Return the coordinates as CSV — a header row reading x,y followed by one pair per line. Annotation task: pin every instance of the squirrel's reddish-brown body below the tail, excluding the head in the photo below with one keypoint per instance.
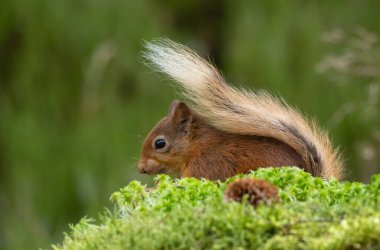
x,y
217,155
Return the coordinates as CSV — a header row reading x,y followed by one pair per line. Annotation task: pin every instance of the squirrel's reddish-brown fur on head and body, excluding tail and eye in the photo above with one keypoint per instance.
x,y
206,152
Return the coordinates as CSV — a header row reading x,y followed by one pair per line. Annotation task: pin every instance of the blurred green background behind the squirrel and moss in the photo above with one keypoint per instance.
x,y
76,101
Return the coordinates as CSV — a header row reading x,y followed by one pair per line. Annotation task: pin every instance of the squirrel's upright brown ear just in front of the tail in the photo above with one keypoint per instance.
x,y
181,115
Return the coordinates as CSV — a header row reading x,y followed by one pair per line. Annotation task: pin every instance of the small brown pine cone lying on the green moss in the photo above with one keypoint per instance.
x,y
258,191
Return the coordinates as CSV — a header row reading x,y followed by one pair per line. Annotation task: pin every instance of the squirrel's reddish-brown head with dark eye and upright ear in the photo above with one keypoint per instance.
x,y
165,147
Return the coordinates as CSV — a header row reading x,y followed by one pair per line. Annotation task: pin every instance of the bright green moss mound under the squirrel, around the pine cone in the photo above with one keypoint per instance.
x,y
190,213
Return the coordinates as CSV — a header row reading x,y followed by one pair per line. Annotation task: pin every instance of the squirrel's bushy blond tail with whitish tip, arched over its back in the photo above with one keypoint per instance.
x,y
241,111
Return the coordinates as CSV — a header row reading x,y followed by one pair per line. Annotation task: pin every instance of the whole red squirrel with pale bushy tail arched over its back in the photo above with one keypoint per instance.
x,y
223,131
